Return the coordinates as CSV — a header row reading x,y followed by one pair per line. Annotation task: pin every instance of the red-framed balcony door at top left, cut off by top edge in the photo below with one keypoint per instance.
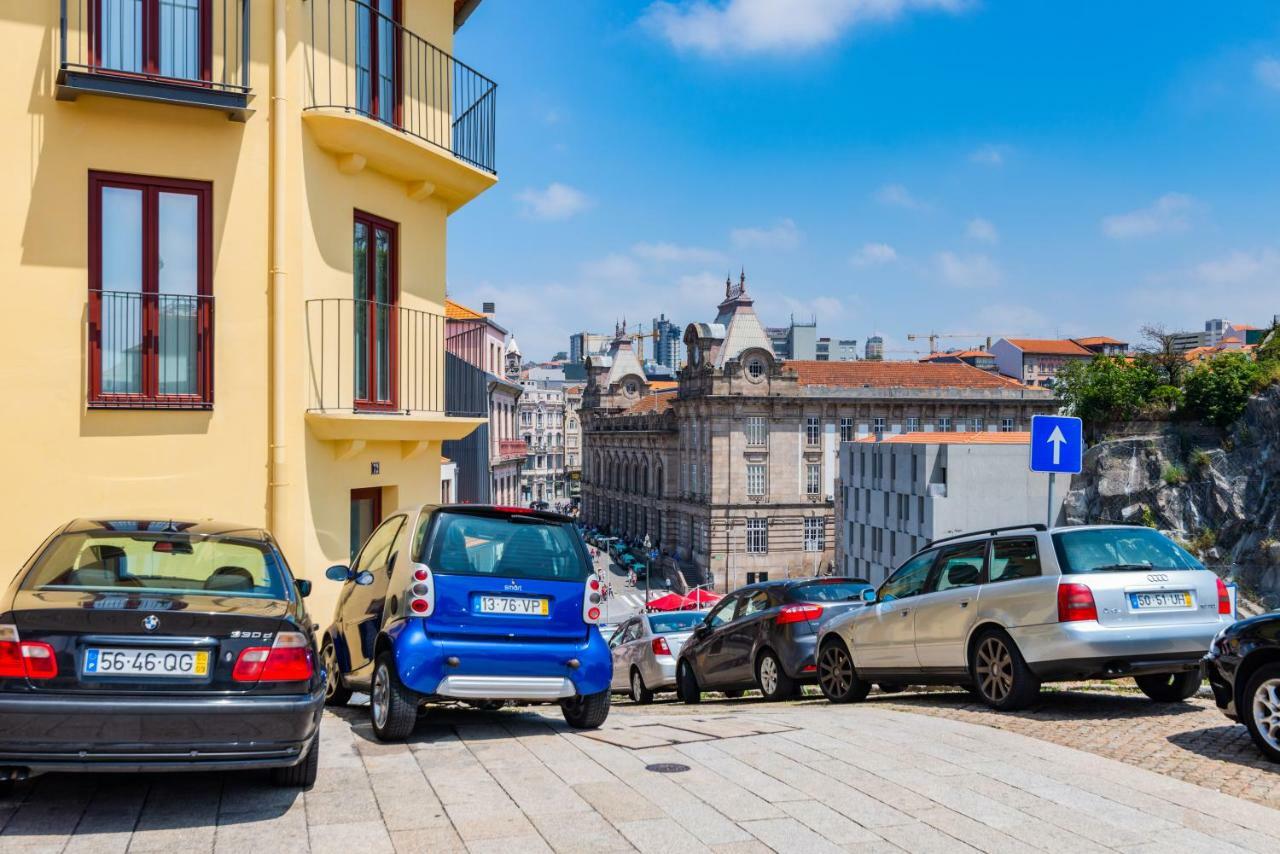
x,y
170,39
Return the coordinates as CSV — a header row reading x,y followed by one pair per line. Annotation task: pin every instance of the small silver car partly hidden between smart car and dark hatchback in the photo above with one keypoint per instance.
x,y
646,651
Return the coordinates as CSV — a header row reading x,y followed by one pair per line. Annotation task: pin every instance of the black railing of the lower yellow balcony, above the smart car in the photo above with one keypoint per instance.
x,y
365,357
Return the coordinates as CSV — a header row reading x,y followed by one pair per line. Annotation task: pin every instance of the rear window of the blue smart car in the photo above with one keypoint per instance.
x,y
504,546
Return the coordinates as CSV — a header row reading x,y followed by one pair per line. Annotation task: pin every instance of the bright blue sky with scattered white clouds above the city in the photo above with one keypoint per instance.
x,y
996,167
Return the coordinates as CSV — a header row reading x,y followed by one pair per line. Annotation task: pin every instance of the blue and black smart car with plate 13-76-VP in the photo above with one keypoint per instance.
x,y
469,604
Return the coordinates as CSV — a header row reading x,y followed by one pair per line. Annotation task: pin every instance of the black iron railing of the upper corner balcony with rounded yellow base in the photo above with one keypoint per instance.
x,y
363,61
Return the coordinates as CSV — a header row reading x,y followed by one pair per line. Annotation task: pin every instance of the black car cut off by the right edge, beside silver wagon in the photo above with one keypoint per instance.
x,y
1244,668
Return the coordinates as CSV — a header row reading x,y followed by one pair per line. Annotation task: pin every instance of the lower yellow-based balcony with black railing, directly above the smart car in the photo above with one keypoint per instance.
x,y
377,375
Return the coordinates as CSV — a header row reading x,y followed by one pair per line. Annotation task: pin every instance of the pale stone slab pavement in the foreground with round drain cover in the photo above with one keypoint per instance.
x,y
806,778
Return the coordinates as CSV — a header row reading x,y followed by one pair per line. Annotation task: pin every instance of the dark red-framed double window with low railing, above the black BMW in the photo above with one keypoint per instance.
x,y
150,299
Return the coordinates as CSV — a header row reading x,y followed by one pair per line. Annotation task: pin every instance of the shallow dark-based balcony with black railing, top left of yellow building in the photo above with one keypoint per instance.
x,y
194,53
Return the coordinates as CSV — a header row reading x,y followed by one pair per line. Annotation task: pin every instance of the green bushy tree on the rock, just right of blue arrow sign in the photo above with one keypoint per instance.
x,y
1108,389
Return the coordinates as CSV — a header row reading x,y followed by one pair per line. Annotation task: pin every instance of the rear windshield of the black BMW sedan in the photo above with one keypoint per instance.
x,y
158,563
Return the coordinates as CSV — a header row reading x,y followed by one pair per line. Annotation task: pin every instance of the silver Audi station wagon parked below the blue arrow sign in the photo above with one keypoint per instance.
x,y
1004,611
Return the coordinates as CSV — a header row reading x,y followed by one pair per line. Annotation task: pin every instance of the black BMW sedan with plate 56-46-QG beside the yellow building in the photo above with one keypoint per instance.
x,y
158,646
